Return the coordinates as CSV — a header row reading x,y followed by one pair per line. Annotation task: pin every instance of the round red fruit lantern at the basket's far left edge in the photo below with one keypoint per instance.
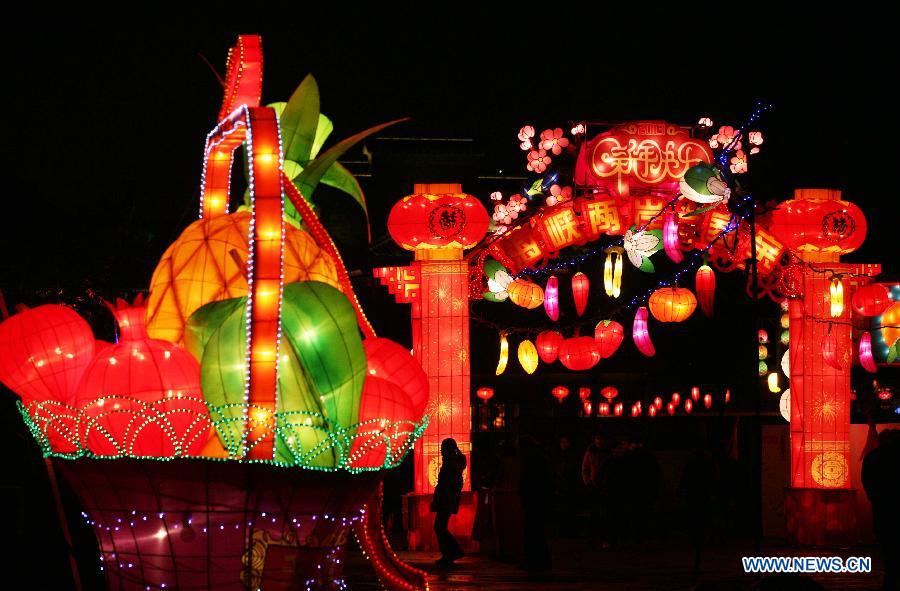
x,y
44,351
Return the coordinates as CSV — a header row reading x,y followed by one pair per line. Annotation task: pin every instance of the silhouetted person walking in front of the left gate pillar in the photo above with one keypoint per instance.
x,y
447,495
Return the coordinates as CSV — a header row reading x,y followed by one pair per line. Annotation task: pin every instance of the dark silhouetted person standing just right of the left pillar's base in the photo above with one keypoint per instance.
x,y
534,492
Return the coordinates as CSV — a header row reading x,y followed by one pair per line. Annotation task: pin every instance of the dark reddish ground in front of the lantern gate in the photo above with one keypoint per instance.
x,y
654,566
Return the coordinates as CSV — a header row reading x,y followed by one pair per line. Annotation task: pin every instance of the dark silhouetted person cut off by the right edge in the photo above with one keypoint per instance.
x,y
881,480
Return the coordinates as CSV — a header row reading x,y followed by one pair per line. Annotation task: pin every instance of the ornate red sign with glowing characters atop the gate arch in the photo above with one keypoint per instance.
x,y
645,154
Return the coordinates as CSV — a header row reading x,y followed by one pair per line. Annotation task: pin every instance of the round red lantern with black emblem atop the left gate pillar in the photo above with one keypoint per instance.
x,y
430,221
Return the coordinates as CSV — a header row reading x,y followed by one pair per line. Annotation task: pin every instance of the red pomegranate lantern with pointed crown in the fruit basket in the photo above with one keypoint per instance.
x,y
142,396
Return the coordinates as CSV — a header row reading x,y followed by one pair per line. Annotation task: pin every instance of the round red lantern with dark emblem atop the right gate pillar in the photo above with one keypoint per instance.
x,y
819,224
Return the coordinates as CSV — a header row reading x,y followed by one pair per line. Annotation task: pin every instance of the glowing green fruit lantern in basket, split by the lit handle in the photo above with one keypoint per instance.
x,y
321,368
